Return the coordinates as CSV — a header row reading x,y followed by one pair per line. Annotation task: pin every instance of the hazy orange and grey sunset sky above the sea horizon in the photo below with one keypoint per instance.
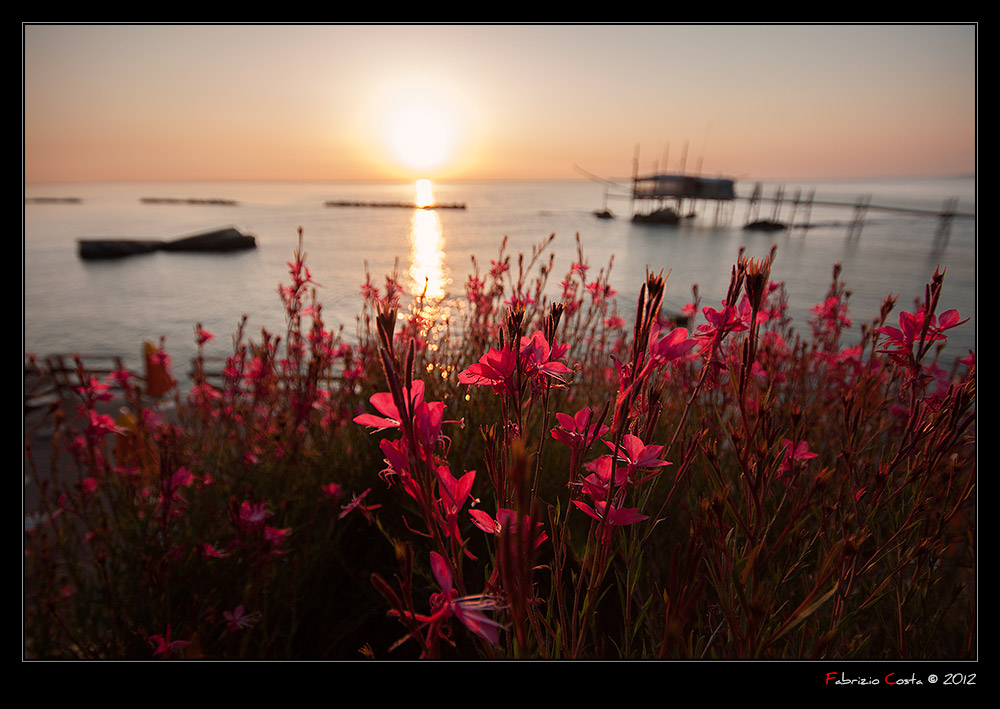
x,y
357,102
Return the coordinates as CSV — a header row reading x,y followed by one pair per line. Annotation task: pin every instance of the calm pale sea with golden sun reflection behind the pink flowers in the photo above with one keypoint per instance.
x,y
112,307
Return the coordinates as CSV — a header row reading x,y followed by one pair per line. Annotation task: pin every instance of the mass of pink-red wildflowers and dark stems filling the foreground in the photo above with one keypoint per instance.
x,y
533,480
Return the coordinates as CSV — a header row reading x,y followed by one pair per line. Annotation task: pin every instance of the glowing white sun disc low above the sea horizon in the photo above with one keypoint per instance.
x,y
421,130
